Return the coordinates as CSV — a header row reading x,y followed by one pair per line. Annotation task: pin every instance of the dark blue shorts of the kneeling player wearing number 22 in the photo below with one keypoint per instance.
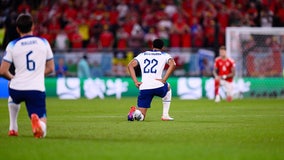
x,y
145,96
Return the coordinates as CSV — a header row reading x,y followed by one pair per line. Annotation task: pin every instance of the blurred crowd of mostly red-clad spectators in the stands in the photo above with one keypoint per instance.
x,y
123,24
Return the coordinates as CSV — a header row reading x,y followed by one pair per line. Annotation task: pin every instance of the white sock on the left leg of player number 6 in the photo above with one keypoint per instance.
x,y
13,114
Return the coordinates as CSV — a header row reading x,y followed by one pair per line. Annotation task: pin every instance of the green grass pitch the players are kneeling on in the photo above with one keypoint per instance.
x,y
98,129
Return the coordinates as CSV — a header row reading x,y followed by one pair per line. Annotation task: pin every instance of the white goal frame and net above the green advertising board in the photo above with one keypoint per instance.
x,y
257,51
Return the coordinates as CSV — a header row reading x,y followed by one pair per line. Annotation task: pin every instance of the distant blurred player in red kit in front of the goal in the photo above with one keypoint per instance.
x,y
224,72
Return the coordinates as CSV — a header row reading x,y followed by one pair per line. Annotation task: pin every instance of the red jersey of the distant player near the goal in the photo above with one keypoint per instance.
x,y
224,67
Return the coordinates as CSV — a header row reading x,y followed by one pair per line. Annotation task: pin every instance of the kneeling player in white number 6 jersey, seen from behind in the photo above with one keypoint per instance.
x,y
33,59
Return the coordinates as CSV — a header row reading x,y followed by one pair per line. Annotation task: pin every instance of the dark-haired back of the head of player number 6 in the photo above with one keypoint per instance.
x,y
24,22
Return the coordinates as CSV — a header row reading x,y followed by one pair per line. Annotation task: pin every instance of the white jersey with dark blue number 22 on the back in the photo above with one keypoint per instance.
x,y
152,64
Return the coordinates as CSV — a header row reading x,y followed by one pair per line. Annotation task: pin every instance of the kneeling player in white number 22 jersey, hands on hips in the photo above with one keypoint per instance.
x,y
152,64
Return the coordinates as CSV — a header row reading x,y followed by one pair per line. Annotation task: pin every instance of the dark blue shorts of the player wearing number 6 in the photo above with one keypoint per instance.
x,y
34,100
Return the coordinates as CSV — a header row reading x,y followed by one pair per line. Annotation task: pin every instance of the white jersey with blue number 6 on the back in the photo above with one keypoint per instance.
x,y
29,55
